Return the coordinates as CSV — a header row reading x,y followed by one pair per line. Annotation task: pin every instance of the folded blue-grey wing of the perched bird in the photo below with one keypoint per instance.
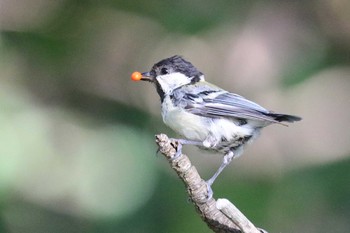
x,y
219,103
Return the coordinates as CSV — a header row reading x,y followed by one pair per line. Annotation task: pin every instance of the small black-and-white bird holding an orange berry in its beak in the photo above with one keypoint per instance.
x,y
204,114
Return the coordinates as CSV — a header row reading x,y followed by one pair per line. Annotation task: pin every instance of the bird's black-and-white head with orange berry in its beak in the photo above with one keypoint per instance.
x,y
170,74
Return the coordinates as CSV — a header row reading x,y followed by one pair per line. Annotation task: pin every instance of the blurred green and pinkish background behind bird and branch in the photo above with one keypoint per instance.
x,y
77,151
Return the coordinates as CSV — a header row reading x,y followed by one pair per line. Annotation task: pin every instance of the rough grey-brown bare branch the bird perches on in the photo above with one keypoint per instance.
x,y
221,216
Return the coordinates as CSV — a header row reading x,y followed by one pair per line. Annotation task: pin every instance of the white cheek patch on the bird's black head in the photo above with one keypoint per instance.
x,y
169,82
